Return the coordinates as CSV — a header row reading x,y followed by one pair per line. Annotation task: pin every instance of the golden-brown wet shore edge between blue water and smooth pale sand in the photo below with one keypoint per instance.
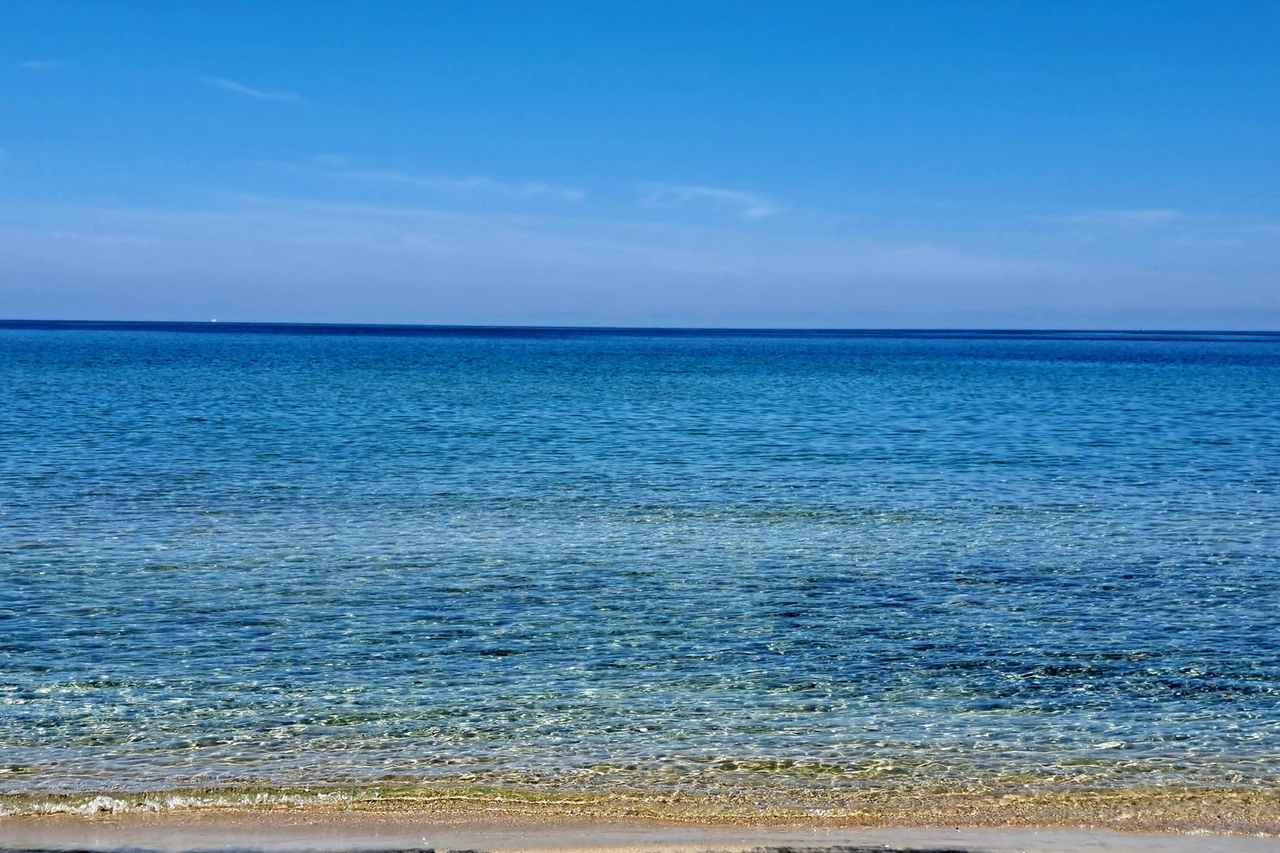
x,y
1205,811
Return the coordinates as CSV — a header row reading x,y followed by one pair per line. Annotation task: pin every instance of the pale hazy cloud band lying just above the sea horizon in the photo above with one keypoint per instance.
x,y
281,258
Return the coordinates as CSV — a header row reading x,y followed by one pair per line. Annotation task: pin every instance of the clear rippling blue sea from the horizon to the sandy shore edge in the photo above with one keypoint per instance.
x,y
309,556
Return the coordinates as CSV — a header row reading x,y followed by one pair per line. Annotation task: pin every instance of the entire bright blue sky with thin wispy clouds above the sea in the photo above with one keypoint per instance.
x,y
835,165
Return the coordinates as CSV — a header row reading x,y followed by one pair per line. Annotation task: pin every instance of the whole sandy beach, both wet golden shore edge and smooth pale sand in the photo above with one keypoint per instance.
x,y
523,822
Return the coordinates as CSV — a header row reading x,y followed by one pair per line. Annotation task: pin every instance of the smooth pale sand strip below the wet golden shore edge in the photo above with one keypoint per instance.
x,y
377,833
